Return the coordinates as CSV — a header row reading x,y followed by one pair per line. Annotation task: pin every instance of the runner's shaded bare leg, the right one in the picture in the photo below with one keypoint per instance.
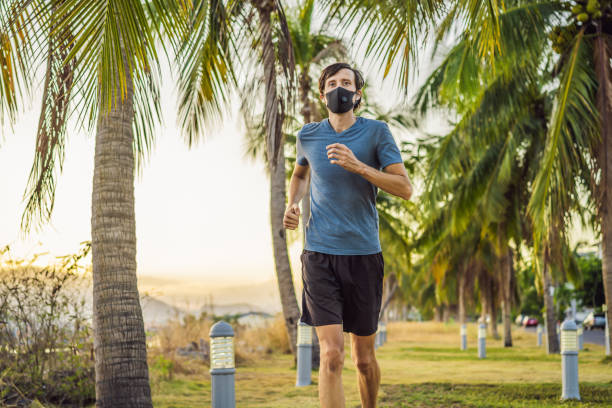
x,y
368,371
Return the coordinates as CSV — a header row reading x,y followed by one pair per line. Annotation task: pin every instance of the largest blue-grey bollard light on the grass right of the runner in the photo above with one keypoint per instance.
x,y
569,360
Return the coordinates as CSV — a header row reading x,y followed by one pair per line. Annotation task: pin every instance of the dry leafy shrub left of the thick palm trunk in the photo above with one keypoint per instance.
x,y
46,347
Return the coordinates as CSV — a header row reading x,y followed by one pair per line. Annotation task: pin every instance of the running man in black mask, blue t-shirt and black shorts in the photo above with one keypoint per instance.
x,y
342,263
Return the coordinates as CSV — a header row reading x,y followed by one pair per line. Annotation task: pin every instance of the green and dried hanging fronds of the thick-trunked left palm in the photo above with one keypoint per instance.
x,y
91,48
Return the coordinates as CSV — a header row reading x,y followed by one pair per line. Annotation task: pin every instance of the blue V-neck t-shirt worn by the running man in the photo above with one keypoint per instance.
x,y
343,217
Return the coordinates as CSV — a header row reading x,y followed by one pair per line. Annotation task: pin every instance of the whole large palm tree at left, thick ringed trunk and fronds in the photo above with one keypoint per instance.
x,y
106,52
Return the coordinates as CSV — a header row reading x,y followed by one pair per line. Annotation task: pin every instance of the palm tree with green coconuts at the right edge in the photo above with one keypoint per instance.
x,y
579,139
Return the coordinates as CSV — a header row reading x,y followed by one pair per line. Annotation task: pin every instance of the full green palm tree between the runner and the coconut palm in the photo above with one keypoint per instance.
x,y
480,170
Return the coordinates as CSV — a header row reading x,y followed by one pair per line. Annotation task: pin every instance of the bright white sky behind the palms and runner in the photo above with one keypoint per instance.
x,y
201,213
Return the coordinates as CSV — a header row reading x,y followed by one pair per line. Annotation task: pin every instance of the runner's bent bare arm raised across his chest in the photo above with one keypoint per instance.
x,y
393,179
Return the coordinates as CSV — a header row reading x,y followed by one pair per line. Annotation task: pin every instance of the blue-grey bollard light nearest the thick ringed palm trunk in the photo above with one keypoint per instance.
x,y
222,365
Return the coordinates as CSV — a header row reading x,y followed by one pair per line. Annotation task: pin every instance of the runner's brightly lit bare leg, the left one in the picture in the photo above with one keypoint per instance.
x,y
331,341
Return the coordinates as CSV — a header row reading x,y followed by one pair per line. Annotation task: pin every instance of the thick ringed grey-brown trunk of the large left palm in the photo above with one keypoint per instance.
x,y
122,377
